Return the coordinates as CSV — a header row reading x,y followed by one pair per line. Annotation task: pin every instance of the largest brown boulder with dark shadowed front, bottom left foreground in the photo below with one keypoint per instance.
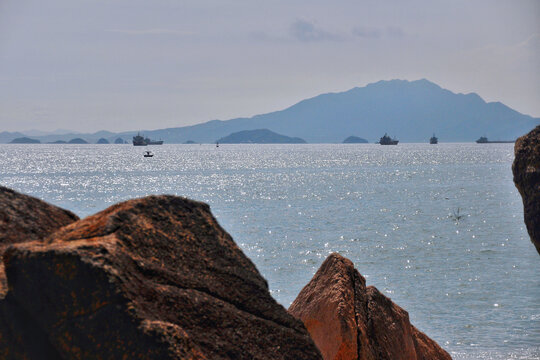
x,y
152,278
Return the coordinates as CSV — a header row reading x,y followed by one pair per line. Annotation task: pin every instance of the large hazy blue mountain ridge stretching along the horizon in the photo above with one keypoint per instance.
x,y
411,111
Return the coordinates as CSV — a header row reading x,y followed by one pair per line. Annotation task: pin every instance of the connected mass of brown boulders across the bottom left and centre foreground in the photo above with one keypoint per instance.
x,y
158,278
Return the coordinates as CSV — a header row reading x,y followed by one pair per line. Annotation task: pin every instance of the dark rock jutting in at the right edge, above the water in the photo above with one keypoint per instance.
x,y
526,169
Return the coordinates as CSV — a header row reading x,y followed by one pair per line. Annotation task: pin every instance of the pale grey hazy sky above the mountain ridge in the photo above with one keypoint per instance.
x,y
88,65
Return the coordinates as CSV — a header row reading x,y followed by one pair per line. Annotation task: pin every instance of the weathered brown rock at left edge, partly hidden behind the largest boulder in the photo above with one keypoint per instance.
x,y
24,218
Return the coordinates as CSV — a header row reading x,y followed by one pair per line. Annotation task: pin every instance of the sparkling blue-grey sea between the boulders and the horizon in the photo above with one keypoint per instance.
x,y
437,228
